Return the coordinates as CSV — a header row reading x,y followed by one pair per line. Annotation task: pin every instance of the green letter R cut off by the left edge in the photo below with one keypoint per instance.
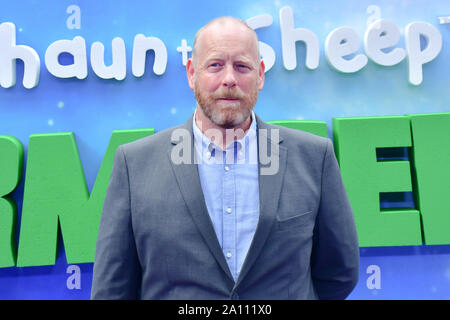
x,y
11,161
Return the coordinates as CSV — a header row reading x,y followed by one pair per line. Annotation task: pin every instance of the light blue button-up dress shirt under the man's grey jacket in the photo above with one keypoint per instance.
x,y
229,180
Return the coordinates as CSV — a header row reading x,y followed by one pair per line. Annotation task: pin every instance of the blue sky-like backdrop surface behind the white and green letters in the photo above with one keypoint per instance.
x,y
93,107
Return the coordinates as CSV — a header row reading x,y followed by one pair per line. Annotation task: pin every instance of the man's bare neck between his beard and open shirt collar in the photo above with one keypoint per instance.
x,y
212,130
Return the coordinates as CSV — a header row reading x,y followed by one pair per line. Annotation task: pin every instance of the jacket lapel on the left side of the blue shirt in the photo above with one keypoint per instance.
x,y
189,183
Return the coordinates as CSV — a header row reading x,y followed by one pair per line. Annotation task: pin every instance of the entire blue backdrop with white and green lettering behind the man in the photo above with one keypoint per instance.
x,y
79,78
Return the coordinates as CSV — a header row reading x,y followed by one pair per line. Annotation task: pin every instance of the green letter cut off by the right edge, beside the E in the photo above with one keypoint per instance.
x,y
431,152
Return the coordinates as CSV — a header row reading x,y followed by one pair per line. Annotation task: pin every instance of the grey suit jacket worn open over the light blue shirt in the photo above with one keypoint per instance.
x,y
156,239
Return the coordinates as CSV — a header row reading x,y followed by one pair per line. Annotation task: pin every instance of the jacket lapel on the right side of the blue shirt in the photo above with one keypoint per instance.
x,y
269,194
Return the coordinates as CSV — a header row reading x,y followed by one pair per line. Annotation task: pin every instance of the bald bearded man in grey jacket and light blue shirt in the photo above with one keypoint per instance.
x,y
226,206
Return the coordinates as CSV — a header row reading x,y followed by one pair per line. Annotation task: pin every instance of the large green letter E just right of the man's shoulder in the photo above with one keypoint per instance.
x,y
356,141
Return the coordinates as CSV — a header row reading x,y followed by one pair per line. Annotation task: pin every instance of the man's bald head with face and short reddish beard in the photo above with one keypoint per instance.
x,y
226,73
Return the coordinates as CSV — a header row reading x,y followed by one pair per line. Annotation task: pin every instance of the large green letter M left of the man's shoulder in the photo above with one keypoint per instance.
x,y
55,189
